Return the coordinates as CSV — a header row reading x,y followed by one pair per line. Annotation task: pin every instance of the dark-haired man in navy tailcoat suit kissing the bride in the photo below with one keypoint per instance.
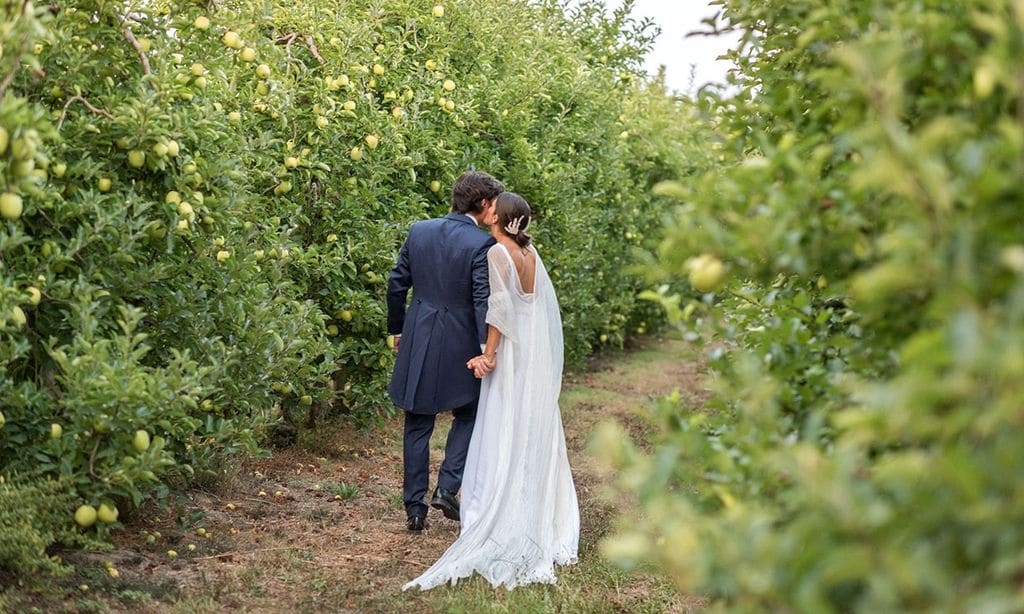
x,y
445,261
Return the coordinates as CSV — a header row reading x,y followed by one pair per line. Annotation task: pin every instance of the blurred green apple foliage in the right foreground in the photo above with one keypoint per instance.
x,y
863,450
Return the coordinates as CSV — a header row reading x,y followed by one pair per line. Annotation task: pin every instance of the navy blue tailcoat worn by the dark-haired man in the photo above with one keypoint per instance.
x,y
445,261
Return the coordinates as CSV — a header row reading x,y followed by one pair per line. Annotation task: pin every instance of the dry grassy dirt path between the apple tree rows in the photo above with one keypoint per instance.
x,y
306,532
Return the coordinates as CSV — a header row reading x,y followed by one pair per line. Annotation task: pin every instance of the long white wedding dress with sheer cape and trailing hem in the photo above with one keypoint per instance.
x,y
520,514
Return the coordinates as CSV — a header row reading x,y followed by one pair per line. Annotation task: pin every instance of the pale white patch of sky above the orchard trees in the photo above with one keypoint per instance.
x,y
675,51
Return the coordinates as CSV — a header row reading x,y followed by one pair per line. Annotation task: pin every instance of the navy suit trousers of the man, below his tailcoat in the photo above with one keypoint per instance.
x,y
419,427
